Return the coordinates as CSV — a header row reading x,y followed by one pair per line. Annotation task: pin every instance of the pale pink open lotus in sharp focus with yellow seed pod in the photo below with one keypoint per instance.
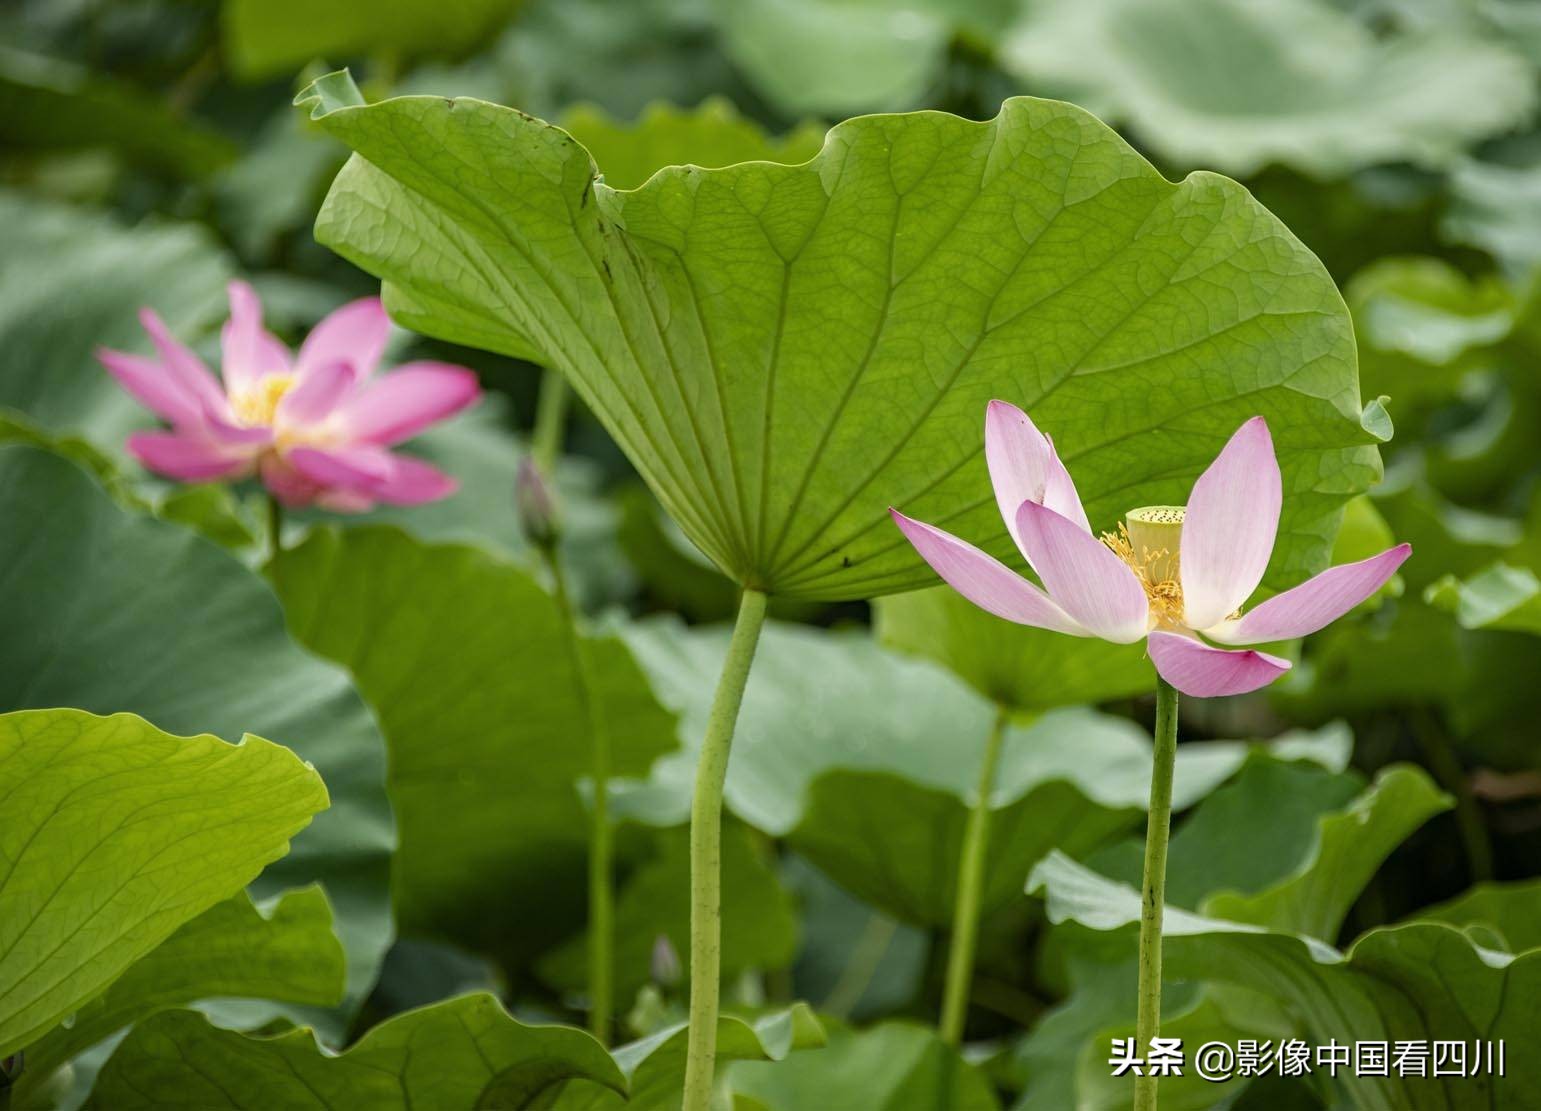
x,y
1177,576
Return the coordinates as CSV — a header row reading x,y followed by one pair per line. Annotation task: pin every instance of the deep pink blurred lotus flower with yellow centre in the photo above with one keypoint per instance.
x,y
317,426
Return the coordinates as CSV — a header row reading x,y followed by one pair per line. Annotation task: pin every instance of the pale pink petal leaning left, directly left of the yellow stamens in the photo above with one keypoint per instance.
x,y
1084,577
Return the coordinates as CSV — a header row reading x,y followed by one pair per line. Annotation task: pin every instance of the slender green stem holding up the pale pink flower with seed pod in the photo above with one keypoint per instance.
x,y
1153,891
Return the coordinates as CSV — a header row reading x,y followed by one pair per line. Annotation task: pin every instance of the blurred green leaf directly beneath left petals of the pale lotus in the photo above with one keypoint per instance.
x,y
1018,666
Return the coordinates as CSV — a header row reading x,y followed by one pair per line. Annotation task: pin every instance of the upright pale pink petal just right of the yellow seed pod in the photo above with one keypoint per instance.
x,y
1229,528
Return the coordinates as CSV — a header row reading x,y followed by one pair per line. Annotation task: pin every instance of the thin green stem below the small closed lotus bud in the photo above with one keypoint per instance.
x,y
602,890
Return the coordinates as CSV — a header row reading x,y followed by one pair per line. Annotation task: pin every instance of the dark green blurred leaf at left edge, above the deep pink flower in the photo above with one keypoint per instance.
x,y
50,104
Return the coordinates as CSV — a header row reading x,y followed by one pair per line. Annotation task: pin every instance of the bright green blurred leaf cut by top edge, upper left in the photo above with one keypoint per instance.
x,y
267,38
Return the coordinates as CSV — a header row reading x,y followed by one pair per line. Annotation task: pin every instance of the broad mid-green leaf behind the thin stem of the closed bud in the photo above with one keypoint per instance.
x,y
463,656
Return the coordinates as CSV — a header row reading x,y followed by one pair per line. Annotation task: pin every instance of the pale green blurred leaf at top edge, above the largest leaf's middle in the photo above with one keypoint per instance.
x,y
839,58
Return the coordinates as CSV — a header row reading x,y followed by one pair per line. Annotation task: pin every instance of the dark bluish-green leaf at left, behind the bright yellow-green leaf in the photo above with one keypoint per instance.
x,y
113,611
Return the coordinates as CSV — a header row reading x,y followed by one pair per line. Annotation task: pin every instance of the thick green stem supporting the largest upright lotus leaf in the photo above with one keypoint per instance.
x,y
707,853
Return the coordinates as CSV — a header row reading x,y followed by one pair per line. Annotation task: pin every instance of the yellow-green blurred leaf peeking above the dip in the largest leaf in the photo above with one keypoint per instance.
x,y
713,135
